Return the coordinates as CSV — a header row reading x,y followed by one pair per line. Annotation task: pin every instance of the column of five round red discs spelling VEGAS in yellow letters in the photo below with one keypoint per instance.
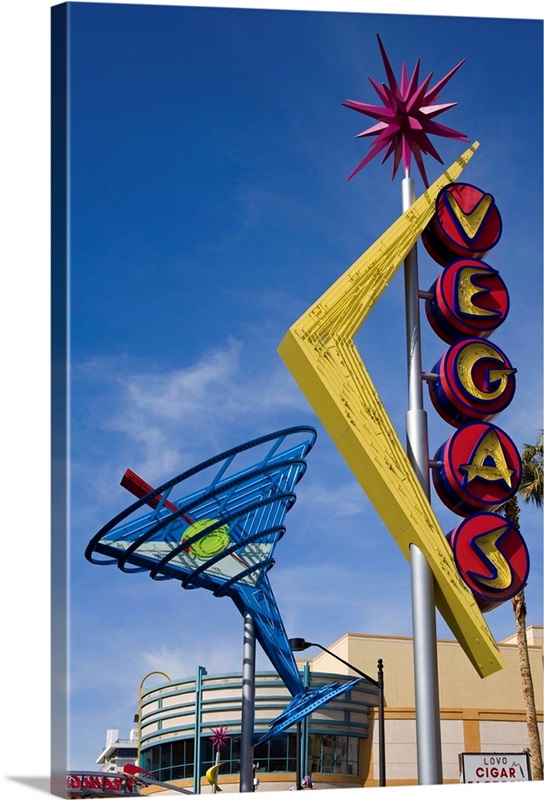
x,y
478,468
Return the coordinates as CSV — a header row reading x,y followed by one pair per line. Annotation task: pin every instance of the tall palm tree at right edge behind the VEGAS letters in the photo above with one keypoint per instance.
x,y
530,491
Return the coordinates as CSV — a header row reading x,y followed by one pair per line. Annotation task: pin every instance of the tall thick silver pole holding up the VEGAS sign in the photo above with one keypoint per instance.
x,y
429,755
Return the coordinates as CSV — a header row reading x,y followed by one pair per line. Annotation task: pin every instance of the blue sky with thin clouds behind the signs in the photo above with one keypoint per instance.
x,y
209,209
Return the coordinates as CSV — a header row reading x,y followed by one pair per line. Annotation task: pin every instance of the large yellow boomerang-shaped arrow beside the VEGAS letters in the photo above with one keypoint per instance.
x,y
320,353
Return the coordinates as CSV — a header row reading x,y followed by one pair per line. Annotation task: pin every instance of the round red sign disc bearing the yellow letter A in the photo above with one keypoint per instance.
x,y
479,469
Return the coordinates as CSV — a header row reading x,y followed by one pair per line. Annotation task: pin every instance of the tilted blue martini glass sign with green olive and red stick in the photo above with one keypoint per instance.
x,y
221,536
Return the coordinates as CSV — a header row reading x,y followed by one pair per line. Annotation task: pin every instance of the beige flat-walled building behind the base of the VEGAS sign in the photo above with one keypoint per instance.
x,y
477,715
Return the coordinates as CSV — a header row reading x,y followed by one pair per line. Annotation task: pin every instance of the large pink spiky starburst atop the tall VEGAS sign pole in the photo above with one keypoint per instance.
x,y
407,118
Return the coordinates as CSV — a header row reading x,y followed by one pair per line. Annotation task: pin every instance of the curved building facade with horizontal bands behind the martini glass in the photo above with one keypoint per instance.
x,y
178,718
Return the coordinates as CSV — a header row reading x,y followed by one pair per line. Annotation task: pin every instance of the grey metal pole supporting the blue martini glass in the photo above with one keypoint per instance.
x,y
248,706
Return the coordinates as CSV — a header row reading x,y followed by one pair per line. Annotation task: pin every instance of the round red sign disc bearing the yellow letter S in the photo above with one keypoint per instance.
x,y
491,556
